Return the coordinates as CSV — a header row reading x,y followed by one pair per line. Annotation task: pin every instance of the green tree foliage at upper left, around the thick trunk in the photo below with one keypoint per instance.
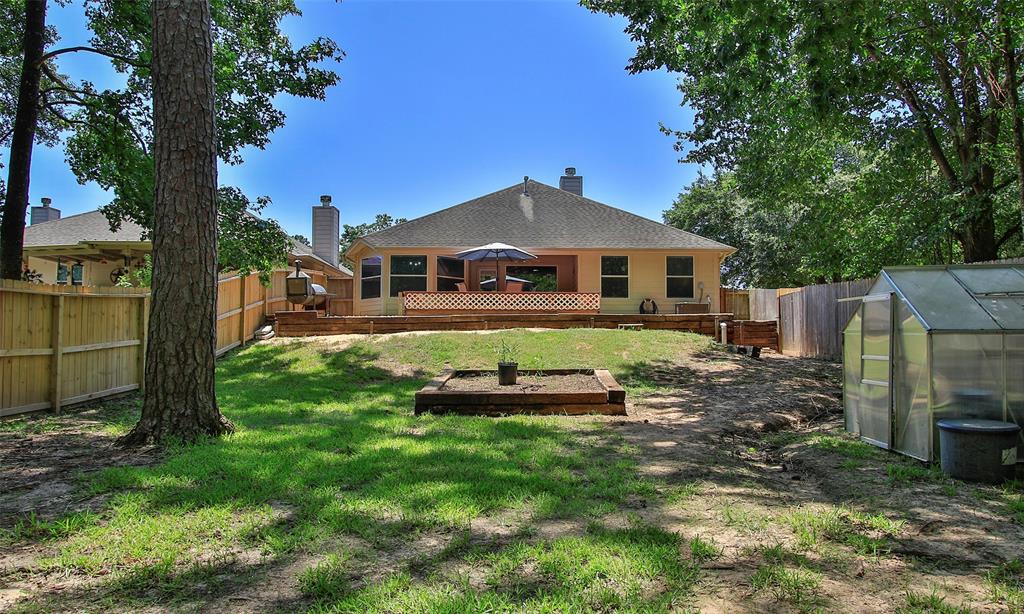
x,y
108,133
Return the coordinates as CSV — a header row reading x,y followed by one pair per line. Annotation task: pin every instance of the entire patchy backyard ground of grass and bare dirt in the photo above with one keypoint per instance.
x,y
729,488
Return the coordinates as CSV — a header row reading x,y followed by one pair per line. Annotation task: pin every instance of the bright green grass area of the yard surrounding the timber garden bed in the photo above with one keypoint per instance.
x,y
329,464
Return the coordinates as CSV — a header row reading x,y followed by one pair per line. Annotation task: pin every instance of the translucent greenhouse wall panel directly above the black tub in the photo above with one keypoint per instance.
x,y
967,376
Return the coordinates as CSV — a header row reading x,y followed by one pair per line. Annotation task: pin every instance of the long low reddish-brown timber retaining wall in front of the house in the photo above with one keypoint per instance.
x,y
305,324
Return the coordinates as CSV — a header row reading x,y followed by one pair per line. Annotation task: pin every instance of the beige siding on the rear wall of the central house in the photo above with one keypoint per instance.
x,y
648,277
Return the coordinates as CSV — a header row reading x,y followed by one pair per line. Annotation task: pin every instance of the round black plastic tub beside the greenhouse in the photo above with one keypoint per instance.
x,y
978,451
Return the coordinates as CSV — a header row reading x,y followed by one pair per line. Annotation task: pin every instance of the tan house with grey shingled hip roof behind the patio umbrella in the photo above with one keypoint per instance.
x,y
582,246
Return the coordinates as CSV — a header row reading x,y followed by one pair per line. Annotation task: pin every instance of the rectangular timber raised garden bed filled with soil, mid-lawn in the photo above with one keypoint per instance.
x,y
552,391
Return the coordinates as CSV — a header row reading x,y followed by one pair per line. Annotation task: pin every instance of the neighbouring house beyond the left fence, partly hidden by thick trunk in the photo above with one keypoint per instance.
x,y
82,250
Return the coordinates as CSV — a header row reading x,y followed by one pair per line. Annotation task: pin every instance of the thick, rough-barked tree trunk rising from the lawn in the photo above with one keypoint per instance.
x,y
180,402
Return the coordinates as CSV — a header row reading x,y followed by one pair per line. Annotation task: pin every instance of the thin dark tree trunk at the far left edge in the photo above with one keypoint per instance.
x,y
13,227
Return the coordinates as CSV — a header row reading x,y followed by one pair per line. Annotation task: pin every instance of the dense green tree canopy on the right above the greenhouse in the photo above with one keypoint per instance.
x,y
923,96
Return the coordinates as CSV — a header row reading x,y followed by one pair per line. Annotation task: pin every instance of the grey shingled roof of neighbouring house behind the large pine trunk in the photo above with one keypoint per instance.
x,y
93,227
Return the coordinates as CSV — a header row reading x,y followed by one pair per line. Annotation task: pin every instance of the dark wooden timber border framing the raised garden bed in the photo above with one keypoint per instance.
x,y
435,399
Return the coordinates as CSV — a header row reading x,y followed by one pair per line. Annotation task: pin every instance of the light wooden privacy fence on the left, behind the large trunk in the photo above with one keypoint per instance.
x,y
62,345
